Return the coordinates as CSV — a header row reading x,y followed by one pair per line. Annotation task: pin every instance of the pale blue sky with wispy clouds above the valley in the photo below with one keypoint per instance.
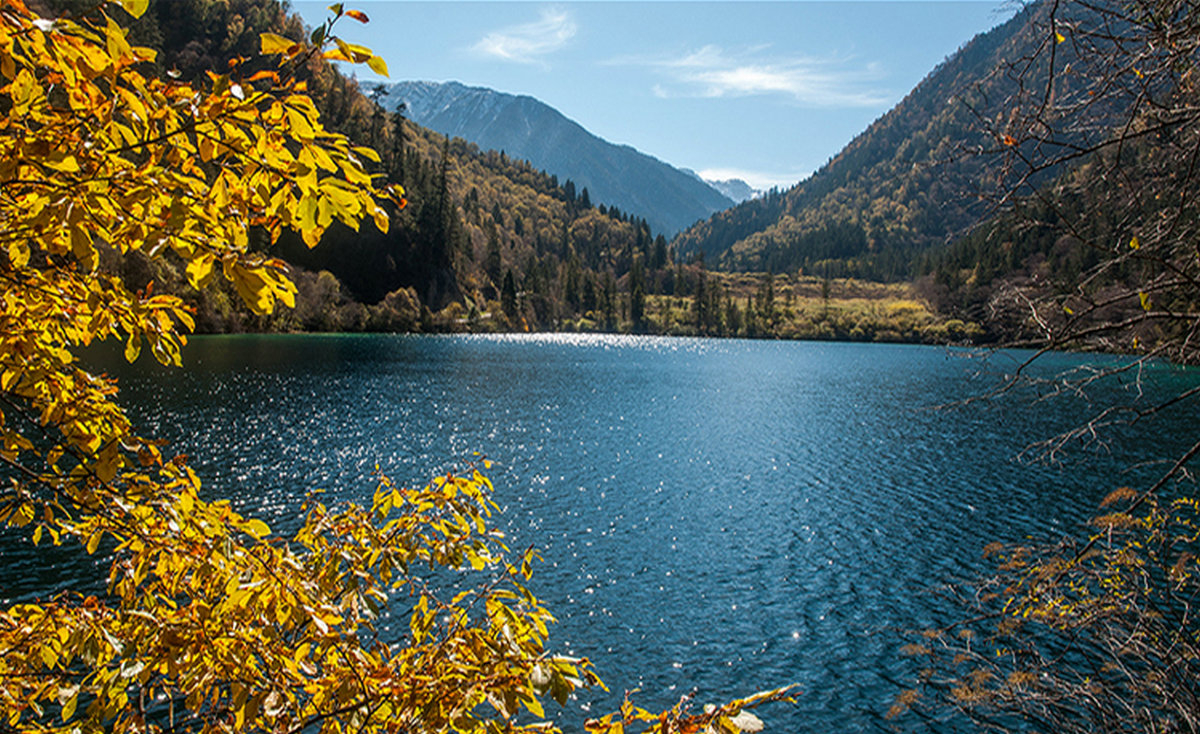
x,y
765,92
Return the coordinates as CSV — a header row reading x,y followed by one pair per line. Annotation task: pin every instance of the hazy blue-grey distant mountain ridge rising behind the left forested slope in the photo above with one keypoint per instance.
x,y
526,129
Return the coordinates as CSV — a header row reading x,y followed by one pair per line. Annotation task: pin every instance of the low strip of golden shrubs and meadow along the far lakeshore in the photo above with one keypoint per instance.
x,y
699,303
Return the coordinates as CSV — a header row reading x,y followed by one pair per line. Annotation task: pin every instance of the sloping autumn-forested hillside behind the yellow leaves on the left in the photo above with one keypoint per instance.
x,y
485,243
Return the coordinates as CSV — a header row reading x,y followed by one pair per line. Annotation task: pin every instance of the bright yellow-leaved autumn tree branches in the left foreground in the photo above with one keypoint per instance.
x,y
212,621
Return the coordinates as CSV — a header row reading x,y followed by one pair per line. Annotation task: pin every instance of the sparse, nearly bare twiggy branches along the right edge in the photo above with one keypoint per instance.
x,y
1095,631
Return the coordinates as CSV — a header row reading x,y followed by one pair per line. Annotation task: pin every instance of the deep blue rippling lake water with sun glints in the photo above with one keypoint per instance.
x,y
716,515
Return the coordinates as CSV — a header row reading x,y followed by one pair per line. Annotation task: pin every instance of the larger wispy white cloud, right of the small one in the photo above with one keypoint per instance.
x,y
715,73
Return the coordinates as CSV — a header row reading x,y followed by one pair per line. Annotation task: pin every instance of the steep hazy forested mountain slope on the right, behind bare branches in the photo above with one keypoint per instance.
x,y
911,183
